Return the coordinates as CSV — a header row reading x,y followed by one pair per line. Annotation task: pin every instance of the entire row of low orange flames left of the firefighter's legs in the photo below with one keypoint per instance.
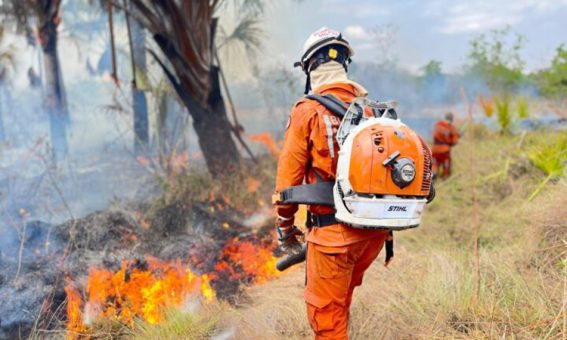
x,y
146,289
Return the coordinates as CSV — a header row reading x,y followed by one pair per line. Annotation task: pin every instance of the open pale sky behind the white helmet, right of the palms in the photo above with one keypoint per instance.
x,y
422,30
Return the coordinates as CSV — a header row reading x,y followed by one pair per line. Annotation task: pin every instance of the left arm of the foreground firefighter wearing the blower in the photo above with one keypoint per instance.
x,y
293,160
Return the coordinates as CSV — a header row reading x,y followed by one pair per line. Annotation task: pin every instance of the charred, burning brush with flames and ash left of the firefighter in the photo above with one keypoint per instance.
x,y
133,268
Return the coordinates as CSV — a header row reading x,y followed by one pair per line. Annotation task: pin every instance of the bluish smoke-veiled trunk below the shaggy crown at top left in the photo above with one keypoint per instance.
x,y
55,104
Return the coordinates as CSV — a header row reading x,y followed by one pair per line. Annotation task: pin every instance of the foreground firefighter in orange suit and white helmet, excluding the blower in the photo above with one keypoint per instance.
x,y
337,255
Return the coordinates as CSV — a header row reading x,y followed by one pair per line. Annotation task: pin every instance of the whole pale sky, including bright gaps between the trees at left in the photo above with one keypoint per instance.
x,y
418,31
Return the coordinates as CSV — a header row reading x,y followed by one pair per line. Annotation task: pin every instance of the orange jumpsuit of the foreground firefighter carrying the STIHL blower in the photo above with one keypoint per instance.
x,y
337,255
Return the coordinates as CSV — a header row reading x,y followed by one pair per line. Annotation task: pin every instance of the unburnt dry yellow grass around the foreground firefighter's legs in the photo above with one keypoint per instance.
x,y
427,292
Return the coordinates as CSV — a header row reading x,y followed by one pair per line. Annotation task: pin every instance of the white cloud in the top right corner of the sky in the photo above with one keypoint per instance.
x,y
480,15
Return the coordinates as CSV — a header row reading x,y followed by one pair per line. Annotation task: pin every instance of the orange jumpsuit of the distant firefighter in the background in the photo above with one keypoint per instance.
x,y
445,136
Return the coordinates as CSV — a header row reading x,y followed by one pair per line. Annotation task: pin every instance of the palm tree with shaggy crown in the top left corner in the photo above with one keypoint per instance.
x,y
46,15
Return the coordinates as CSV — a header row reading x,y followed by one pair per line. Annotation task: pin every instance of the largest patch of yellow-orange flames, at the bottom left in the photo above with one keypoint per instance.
x,y
139,289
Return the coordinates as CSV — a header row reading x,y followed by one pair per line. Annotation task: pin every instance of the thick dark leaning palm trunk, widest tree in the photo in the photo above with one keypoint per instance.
x,y
185,33
